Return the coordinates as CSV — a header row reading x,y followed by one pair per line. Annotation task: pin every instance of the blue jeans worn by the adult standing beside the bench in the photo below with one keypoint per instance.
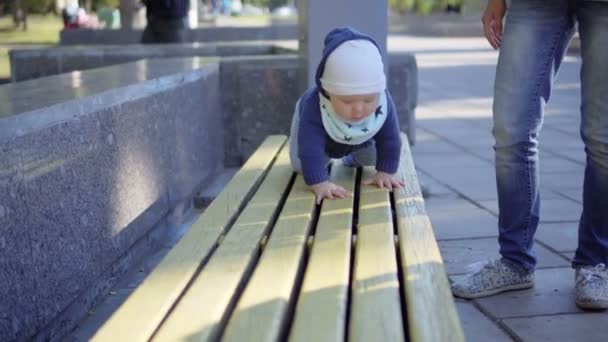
x,y
536,35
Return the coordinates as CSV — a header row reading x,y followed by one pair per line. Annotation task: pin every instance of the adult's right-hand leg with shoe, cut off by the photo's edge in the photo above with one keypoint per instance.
x,y
591,290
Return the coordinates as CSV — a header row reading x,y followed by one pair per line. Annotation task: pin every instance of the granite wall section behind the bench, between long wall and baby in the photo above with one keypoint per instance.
x,y
259,94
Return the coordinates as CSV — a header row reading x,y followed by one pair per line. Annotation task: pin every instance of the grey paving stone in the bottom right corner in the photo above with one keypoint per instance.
x,y
589,327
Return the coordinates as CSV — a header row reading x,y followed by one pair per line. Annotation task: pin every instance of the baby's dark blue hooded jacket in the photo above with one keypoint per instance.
x,y
314,144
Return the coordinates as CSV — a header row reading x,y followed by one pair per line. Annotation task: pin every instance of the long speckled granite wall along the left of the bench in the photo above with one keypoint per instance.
x,y
90,163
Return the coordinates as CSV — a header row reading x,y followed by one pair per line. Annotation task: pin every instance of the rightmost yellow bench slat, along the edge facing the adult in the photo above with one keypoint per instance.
x,y
431,311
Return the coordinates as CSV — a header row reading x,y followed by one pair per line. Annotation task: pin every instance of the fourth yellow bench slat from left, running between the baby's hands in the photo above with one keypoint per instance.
x,y
320,313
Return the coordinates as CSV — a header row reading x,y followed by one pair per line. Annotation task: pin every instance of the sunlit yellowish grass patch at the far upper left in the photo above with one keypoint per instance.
x,y
41,30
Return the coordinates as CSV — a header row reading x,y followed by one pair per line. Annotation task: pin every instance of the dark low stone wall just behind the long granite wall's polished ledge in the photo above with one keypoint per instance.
x,y
33,63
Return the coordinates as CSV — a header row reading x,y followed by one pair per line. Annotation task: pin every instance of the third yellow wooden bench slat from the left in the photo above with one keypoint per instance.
x,y
260,313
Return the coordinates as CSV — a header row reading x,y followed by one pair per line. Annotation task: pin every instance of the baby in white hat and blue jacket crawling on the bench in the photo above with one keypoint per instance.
x,y
349,114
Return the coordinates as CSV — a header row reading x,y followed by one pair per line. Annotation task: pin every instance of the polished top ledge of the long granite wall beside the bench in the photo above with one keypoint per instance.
x,y
32,105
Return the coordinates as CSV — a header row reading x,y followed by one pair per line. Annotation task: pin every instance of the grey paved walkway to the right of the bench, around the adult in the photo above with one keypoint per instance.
x,y
454,158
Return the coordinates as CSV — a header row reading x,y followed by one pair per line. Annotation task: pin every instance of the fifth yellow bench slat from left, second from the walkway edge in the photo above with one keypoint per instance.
x,y
375,302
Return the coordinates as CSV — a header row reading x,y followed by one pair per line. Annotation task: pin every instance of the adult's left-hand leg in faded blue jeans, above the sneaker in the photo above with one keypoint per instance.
x,y
536,36
